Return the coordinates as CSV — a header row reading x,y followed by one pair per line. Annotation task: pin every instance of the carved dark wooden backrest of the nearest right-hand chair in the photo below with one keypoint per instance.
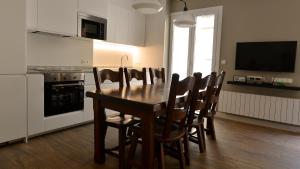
x,y
173,112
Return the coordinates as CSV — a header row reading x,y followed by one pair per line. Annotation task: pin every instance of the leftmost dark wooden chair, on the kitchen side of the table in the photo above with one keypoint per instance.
x,y
121,122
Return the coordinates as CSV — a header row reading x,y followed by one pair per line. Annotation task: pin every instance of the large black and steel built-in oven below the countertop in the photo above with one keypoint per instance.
x,y
64,93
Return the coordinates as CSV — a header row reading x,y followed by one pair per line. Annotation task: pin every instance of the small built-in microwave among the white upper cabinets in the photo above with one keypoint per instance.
x,y
91,27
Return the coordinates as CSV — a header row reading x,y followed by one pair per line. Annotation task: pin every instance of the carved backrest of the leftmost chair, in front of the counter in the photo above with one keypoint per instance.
x,y
107,74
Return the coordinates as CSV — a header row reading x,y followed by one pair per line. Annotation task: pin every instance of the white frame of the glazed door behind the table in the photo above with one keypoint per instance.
x,y
218,12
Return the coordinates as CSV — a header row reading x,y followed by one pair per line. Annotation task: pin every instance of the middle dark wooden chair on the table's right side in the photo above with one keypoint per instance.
x,y
201,103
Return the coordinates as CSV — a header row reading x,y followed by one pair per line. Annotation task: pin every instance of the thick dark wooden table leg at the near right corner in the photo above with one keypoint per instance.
x,y
148,140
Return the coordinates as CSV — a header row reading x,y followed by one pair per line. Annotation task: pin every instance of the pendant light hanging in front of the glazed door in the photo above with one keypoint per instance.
x,y
185,20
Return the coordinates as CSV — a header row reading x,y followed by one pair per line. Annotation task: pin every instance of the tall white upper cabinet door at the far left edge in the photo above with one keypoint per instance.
x,y
13,40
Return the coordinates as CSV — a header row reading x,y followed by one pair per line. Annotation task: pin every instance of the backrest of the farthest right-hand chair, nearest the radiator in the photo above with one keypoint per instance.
x,y
217,89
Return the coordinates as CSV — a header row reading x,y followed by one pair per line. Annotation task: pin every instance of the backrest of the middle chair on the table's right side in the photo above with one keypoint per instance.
x,y
202,96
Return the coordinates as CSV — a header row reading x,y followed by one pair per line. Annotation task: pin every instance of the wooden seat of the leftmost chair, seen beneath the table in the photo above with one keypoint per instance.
x,y
119,121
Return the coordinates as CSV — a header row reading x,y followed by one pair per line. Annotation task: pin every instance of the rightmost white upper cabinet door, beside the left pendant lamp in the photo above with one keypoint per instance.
x,y
136,28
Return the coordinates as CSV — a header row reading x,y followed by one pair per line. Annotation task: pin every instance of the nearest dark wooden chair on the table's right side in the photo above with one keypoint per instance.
x,y
173,130
